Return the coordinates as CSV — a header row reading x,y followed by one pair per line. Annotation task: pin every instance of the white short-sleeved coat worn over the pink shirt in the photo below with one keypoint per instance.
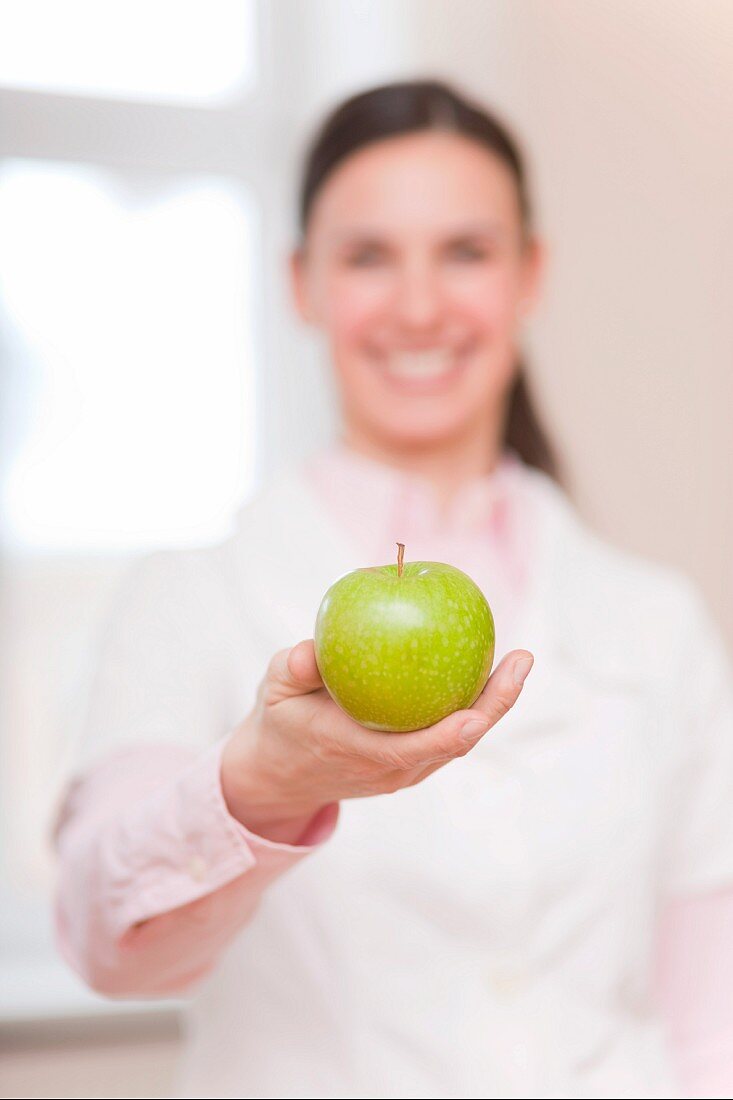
x,y
489,932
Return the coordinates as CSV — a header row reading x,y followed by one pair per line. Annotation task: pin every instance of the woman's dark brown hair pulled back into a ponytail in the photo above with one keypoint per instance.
x,y
408,107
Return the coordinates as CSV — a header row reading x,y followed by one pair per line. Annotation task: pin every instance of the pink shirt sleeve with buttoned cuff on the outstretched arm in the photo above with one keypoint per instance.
x,y
156,875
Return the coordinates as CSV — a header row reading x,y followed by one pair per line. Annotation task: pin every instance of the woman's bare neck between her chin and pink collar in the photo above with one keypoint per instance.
x,y
446,465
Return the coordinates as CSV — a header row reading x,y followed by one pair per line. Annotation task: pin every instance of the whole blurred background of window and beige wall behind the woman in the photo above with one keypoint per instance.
x,y
154,373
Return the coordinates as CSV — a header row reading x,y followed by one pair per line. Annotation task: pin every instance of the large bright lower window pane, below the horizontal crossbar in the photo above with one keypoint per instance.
x,y
130,391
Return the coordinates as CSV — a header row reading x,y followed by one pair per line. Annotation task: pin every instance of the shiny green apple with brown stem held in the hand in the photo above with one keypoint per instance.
x,y
400,647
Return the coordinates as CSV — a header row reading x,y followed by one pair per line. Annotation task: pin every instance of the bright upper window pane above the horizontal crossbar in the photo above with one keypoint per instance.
x,y
183,51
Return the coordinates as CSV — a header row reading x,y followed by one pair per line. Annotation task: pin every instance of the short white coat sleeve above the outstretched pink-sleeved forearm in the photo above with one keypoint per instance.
x,y
160,668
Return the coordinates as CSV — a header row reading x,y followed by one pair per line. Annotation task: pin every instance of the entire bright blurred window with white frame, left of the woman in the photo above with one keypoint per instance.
x,y
137,191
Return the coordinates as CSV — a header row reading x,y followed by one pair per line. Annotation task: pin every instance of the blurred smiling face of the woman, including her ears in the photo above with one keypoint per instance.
x,y
417,271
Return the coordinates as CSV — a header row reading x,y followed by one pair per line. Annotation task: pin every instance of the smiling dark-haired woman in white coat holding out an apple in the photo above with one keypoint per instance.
x,y
349,917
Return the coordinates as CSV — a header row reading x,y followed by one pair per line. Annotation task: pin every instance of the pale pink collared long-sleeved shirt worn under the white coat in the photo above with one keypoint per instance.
x,y
135,919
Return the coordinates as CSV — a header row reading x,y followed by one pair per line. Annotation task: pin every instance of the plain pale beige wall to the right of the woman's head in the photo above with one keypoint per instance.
x,y
627,112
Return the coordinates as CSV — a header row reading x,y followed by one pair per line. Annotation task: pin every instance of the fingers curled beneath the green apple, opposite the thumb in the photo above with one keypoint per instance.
x,y
457,734
